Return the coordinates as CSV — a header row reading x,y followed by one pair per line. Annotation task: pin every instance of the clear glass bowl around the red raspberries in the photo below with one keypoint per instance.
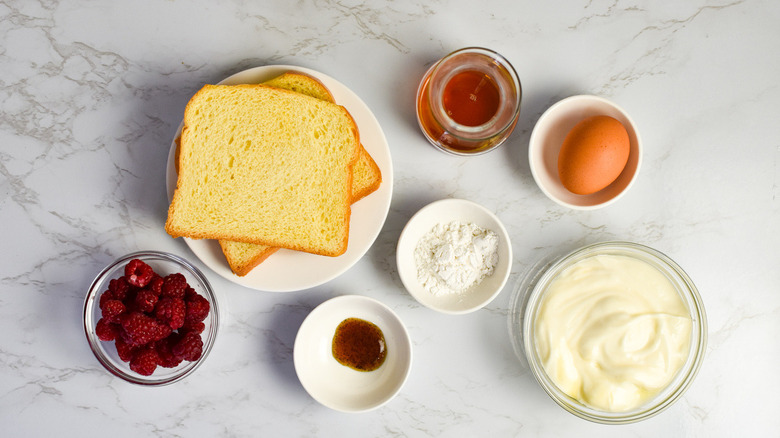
x,y
163,264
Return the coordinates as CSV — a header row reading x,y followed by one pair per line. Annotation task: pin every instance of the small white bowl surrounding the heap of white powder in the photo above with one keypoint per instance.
x,y
443,212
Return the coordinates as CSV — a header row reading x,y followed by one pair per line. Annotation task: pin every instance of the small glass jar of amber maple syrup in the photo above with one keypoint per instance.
x,y
469,101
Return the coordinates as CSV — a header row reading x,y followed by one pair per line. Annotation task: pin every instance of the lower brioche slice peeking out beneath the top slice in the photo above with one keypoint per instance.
x,y
243,257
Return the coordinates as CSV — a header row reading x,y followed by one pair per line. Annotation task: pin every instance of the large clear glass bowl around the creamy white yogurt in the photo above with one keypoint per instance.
x,y
529,295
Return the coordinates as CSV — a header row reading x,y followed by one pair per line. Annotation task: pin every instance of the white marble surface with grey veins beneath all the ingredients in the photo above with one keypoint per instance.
x,y
92,92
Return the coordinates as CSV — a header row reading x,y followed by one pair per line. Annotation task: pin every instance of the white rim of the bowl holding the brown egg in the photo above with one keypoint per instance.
x,y
534,148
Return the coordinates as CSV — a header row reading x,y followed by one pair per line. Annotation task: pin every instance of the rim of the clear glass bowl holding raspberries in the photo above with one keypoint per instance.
x,y
95,344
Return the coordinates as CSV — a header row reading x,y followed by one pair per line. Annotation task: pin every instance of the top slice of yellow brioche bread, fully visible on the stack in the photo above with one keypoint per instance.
x,y
259,164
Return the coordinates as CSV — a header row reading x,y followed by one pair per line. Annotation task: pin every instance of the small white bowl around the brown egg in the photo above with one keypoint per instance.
x,y
546,140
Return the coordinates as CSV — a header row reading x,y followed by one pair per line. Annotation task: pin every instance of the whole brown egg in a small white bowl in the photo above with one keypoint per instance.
x,y
593,155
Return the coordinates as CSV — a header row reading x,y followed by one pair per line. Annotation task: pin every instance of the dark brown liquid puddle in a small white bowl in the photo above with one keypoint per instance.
x,y
359,344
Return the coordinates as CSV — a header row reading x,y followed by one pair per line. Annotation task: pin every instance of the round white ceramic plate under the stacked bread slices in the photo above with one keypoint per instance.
x,y
286,270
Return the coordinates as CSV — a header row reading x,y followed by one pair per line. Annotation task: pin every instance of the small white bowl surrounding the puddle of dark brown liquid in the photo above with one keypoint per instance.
x,y
335,385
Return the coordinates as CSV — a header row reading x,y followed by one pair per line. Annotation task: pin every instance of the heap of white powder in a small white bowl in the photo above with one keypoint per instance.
x,y
453,257
